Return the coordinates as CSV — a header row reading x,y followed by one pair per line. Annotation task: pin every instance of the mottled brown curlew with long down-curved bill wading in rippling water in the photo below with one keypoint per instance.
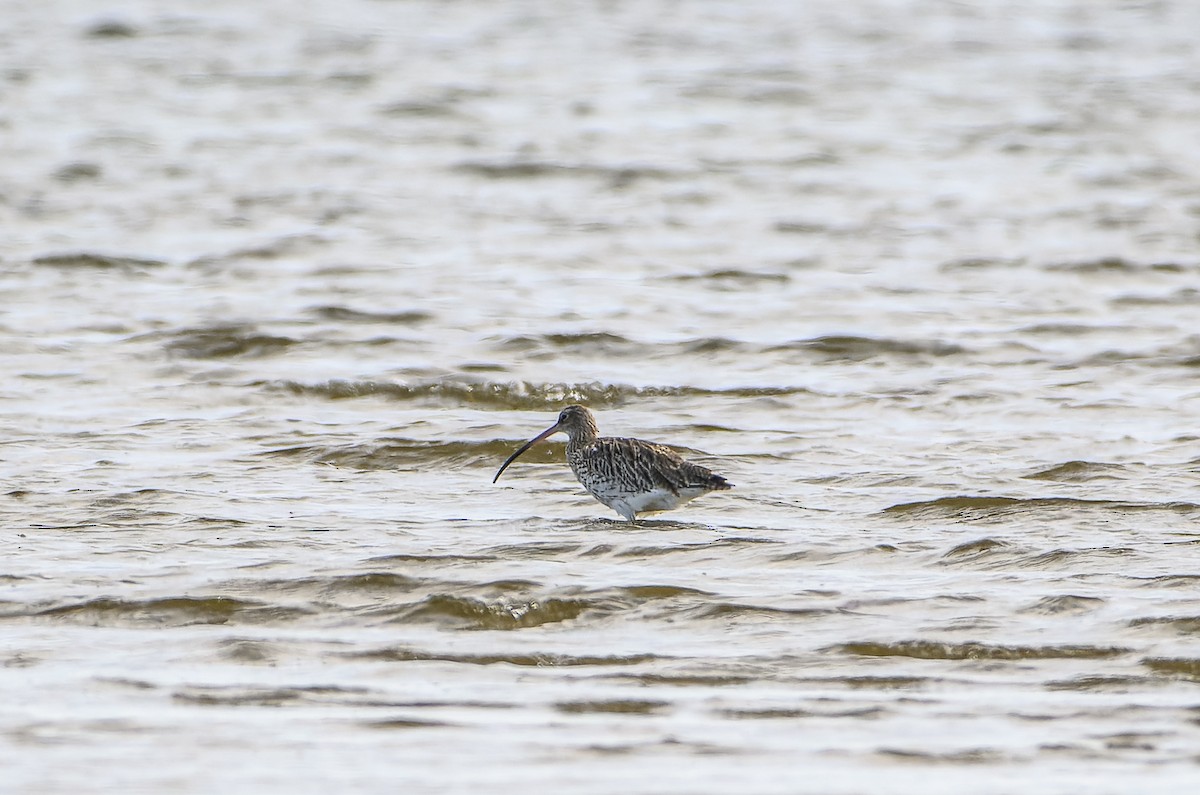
x,y
628,475
